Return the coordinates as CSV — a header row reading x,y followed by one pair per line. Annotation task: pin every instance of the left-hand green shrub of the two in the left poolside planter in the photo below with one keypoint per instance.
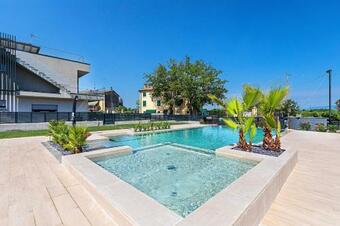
x,y
59,132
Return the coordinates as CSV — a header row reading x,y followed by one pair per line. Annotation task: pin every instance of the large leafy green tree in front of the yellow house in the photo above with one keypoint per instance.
x,y
186,82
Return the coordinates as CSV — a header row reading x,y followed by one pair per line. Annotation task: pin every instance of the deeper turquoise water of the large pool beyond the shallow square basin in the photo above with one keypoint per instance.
x,y
211,137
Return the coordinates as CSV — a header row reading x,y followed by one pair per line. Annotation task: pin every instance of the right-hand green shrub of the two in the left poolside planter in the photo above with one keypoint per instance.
x,y
77,139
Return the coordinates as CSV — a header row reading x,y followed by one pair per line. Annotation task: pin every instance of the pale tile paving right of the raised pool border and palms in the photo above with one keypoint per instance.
x,y
311,195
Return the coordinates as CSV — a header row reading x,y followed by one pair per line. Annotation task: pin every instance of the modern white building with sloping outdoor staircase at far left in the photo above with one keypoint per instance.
x,y
31,81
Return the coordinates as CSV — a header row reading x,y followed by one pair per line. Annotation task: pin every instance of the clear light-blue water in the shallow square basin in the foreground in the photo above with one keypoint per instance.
x,y
180,178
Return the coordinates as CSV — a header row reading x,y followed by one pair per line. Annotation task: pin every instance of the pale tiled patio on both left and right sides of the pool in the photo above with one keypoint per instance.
x,y
37,190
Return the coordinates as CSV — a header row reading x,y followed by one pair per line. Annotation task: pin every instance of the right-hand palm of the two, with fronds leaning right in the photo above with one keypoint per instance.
x,y
272,101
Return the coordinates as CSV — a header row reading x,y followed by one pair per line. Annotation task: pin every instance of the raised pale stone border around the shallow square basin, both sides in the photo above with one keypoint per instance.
x,y
243,202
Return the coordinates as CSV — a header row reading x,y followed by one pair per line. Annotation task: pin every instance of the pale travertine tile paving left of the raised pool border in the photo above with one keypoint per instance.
x,y
36,190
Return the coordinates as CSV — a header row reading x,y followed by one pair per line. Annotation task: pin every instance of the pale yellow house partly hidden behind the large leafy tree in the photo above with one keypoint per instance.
x,y
150,104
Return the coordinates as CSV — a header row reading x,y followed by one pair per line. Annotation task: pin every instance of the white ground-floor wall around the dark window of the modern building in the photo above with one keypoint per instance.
x,y
64,105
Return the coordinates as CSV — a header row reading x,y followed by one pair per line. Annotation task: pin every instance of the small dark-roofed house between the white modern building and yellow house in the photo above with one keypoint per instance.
x,y
110,99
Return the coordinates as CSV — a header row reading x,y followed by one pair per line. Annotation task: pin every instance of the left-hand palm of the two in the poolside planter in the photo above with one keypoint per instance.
x,y
237,109
